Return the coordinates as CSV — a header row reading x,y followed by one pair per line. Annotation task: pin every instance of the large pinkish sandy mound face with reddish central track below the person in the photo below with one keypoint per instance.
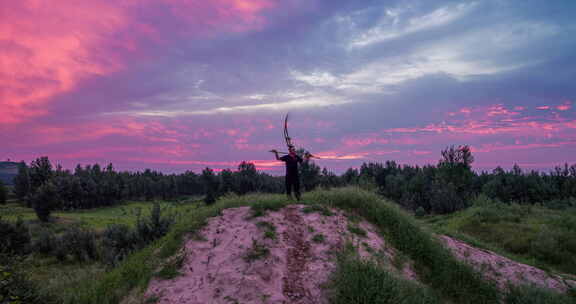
x,y
282,257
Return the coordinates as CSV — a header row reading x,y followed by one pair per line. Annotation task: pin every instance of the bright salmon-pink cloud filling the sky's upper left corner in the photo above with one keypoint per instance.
x,y
49,49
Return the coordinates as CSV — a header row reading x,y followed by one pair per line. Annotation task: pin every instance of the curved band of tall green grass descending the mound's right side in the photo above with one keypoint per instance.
x,y
435,265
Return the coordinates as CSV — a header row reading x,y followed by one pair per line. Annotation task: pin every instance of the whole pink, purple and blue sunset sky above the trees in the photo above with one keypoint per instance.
x,y
177,85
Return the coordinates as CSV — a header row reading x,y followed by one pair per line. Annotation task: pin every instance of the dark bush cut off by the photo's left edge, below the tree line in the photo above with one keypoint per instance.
x,y
14,237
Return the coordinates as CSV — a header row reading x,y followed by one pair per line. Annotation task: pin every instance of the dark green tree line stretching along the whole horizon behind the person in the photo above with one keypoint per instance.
x,y
445,187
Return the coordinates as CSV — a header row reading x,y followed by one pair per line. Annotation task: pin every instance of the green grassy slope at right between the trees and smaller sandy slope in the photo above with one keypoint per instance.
x,y
530,234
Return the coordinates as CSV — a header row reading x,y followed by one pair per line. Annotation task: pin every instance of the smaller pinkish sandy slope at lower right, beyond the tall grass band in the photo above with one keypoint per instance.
x,y
503,270
